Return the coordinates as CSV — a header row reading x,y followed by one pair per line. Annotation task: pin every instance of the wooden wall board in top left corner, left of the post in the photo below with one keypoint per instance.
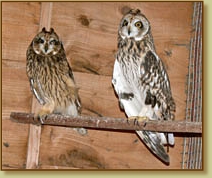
x,y
20,22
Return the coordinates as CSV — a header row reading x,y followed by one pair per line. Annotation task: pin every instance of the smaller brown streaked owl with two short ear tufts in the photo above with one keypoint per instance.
x,y
50,76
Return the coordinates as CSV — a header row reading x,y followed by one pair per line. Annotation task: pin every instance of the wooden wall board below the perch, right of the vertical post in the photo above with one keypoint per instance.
x,y
61,146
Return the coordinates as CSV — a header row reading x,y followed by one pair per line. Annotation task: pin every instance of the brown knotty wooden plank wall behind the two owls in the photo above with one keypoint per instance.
x,y
89,33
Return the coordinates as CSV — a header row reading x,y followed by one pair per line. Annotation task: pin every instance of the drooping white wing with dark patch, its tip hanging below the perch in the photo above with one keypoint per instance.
x,y
131,103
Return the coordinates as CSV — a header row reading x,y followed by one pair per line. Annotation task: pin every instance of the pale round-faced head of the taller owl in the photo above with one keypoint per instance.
x,y
134,25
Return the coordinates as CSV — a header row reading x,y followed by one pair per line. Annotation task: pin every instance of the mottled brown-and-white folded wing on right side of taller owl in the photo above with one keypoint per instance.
x,y
158,90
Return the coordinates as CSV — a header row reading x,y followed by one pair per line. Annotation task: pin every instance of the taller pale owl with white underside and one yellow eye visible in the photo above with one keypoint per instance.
x,y
141,82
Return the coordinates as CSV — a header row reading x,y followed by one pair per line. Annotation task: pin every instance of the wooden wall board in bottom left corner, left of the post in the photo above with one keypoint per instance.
x,y
14,141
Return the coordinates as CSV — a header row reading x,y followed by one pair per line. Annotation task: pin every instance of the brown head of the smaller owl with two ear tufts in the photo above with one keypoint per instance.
x,y
46,43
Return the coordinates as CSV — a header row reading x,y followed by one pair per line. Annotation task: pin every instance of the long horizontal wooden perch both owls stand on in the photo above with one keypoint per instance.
x,y
109,123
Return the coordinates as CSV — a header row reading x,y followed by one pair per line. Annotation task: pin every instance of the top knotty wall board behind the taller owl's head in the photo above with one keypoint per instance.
x,y
90,40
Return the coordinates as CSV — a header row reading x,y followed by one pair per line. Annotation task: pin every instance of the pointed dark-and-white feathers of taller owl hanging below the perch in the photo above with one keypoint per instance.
x,y
154,144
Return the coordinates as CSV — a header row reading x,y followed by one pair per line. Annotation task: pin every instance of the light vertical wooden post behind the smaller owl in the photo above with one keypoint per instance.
x,y
33,149
